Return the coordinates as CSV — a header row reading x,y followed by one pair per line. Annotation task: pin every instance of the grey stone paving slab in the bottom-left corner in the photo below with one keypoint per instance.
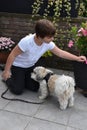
x,y
13,121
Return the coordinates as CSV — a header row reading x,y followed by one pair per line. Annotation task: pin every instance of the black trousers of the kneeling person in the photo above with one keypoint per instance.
x,y
21,79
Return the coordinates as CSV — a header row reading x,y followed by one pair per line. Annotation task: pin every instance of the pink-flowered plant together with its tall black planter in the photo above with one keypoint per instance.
x,y
79,41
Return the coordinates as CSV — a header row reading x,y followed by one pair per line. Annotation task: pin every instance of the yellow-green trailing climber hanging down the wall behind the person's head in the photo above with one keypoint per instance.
x,y
58,10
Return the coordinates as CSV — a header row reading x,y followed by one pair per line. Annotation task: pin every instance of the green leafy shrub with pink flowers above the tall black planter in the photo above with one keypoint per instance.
x,y
79,38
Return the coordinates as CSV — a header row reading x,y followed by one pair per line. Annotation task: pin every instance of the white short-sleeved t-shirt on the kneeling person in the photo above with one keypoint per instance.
x,y
31,51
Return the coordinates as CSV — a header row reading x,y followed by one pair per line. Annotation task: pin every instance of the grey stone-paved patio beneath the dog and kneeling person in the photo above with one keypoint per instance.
x,y
15,115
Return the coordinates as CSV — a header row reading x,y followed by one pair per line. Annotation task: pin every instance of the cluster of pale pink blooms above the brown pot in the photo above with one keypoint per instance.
x,y
6,44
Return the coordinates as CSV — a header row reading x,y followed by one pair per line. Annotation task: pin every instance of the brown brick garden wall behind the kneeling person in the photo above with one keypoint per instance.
x,y
17,26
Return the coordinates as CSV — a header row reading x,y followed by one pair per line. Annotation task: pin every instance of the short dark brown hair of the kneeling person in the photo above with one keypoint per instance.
x,y
44,28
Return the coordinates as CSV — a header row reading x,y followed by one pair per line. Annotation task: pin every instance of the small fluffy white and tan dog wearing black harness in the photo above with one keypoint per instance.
x,y
61,86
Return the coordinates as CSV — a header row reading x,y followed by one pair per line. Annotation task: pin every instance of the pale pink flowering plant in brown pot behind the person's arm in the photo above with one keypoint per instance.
x,y
6,45
